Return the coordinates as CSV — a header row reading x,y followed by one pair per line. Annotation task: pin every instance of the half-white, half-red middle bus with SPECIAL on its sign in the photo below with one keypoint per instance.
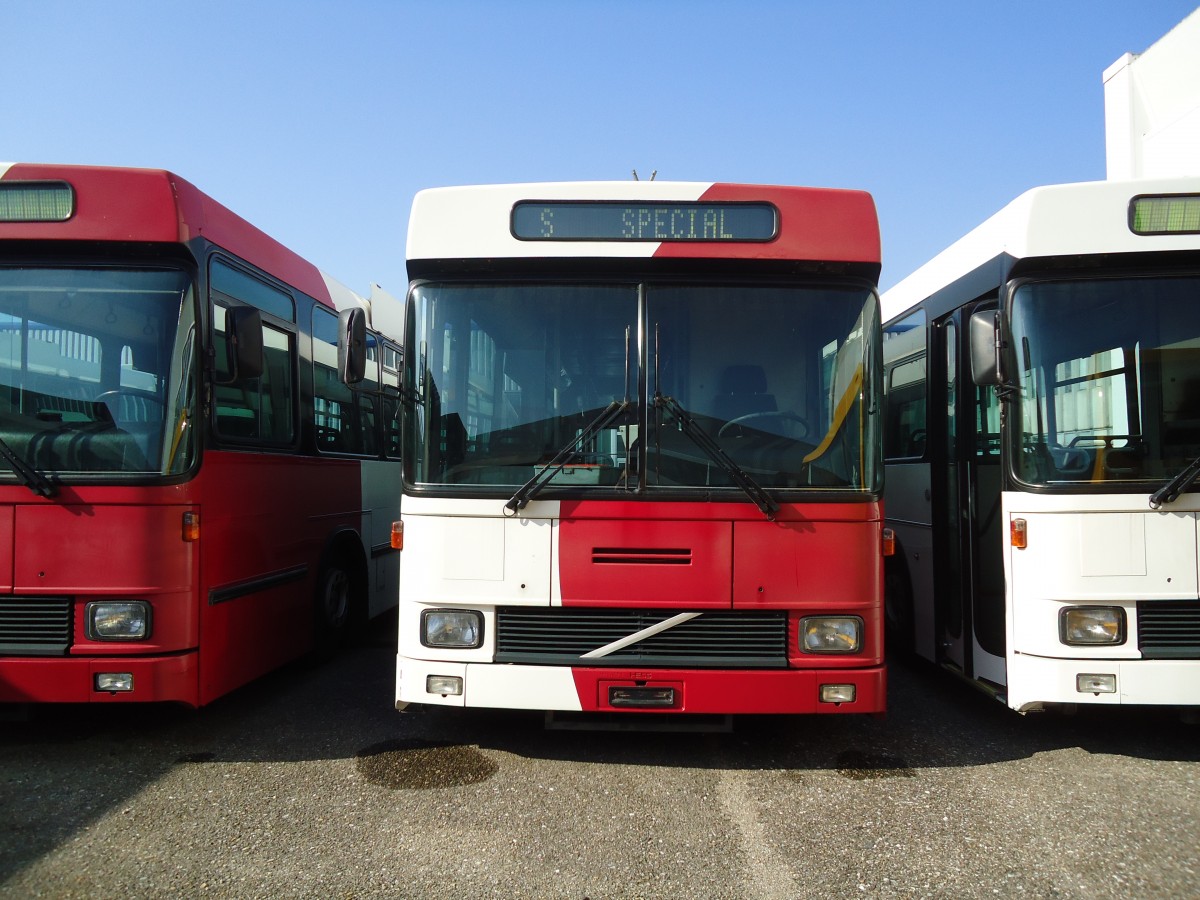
x,y
643,463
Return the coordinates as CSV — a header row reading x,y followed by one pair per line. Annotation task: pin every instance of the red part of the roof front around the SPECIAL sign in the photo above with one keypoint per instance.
x,y
815,224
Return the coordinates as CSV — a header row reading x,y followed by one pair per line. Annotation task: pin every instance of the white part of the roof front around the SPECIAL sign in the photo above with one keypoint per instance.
x,y
467,223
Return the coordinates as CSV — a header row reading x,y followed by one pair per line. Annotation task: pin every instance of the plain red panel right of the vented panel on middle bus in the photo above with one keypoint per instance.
x,y
807,566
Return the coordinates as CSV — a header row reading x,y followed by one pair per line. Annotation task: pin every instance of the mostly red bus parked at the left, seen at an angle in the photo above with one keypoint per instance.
x,y
190,494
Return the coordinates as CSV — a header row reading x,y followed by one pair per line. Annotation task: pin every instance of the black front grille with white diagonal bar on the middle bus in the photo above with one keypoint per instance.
x,y
561,637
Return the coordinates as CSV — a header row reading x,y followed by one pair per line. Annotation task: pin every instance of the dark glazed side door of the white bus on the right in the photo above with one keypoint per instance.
x,y
969,586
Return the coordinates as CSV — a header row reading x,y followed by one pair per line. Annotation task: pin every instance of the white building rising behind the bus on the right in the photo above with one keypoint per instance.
x,y
1153,107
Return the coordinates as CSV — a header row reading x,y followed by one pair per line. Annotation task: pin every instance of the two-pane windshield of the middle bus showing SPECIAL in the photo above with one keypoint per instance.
x,y
506,377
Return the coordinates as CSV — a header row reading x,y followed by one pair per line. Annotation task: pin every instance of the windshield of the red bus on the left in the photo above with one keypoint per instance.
x,y
97,370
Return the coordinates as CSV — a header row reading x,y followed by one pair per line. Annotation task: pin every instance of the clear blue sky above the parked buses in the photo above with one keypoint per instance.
x,y
319,122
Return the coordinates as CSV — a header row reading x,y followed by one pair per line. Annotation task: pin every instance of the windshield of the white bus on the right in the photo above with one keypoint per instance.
x,y
1109,377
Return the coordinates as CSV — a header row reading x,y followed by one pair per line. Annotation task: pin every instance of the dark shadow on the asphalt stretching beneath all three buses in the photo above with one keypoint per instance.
x,y
67,769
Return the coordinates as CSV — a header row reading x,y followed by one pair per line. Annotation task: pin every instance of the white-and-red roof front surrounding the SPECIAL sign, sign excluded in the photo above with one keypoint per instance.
x,y
476,223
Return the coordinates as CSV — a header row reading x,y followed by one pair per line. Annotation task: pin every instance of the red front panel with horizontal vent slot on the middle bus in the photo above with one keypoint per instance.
x,y
641,562
